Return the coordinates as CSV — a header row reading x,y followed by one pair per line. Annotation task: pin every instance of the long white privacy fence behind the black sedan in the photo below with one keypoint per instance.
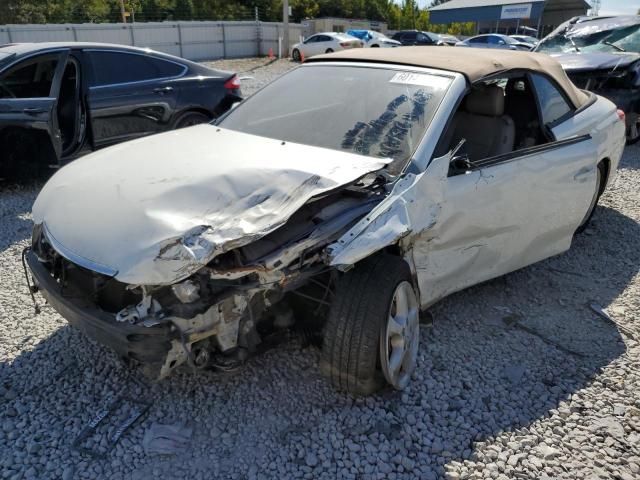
x,y
191,40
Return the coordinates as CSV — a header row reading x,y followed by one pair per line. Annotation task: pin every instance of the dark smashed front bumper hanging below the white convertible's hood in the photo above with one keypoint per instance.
x,y
147,345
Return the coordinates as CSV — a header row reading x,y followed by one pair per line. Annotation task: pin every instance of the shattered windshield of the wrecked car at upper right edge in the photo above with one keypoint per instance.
x,y
625,39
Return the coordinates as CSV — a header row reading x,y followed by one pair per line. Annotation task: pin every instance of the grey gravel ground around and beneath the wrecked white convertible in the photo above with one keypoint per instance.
x,y
519,378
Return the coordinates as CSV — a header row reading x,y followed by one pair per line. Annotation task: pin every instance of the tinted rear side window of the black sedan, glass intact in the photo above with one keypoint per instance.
x,y
113,68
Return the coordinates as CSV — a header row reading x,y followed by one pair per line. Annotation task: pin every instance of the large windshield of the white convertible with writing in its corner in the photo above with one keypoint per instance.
x,y
370,111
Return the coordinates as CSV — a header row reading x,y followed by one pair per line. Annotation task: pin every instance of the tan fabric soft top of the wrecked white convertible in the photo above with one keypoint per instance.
x,y
474,63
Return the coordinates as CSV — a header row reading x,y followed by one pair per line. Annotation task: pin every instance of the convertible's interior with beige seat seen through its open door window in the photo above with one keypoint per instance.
x,y
496,117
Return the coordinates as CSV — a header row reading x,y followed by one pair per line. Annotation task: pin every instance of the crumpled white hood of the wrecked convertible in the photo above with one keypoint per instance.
x,y
157,209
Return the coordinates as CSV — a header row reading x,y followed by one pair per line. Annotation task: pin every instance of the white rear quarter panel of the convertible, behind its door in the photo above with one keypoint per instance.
x,y
601,121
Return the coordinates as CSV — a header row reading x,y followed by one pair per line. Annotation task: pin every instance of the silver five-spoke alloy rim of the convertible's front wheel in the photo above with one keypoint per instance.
x,y
400,337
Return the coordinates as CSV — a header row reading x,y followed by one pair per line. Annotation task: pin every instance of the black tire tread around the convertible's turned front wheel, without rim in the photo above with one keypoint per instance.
x,y
360,308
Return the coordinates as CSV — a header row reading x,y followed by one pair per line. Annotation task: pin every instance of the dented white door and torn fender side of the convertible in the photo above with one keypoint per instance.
x,y
464,229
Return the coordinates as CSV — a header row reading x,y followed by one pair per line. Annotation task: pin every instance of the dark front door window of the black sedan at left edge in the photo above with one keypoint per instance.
x,y
29,79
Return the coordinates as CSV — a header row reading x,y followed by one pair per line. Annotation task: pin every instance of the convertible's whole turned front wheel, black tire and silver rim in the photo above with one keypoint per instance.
x,y
372,333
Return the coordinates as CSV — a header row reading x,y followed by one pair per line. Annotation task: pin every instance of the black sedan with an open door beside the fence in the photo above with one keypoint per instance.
x,y
59,100
